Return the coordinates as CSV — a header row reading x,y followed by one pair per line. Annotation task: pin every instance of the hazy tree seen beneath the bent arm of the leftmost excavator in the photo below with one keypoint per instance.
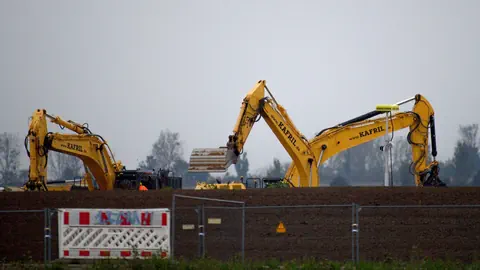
x,y
65,167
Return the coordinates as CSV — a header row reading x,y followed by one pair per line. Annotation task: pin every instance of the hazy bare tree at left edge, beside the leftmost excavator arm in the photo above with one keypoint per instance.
x,y
9,158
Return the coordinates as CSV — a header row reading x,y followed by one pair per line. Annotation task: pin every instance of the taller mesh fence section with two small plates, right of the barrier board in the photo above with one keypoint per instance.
x,y
207,227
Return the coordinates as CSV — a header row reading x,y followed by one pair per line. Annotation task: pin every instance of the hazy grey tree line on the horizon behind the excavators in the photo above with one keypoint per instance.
x,y
360,165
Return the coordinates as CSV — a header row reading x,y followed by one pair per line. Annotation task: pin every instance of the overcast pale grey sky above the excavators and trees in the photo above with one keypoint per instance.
x,y
133,68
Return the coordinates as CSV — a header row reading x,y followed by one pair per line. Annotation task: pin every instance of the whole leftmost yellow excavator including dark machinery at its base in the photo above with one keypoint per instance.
x,y
102,171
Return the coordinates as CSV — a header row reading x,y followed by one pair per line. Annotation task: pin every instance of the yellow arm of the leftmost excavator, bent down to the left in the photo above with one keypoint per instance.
x,y
92,149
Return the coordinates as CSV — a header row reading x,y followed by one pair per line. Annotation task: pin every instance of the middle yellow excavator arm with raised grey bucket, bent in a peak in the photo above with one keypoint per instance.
x,y
255,106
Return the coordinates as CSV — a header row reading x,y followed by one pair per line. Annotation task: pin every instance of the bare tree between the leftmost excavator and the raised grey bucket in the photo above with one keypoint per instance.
x,y
166,152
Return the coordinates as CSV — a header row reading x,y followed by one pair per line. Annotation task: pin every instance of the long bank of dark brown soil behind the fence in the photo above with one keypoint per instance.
x,y
317,230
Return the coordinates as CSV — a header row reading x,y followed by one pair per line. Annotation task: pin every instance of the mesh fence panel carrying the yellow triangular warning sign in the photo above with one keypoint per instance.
x,y
300,231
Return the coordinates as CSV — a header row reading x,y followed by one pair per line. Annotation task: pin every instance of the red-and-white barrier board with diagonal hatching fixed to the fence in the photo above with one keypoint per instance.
x,y
114,233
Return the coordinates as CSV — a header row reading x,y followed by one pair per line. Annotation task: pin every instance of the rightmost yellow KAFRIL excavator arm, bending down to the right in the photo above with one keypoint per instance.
x,y
359,130
